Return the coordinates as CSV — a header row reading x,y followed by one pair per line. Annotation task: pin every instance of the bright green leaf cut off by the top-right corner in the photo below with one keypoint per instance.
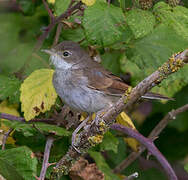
x,y
176,17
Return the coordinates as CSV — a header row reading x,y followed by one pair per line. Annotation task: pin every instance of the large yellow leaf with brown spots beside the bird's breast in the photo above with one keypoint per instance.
x,y
37,93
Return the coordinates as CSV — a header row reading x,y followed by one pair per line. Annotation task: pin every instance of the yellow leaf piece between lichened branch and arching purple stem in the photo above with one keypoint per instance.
x,y
125,120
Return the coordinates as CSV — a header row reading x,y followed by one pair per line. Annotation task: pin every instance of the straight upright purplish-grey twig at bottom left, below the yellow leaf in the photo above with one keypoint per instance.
x,y
45,163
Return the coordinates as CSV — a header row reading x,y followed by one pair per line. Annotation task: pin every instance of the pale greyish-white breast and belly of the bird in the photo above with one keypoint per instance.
x,y
75,93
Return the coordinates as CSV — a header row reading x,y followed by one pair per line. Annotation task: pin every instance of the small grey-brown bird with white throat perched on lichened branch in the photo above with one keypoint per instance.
x,y
84,84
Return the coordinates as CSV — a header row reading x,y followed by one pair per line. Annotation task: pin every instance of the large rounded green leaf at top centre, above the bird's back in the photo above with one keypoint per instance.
x,y
103,24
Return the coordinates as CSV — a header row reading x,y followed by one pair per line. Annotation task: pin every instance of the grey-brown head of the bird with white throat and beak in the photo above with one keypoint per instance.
x,y
67,55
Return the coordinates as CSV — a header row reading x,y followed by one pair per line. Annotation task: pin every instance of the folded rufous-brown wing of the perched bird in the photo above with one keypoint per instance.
x,y
103,80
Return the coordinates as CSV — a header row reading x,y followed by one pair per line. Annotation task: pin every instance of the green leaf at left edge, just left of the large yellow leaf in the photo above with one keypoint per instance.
x,y
9,87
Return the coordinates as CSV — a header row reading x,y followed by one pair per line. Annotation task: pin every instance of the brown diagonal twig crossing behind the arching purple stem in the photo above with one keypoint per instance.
x,y
154,133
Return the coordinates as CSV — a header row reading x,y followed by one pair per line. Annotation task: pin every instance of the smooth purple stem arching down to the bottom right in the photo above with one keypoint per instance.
x,y
150,146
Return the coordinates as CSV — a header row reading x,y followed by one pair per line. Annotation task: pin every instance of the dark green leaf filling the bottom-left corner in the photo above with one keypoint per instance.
x,y
18,164
